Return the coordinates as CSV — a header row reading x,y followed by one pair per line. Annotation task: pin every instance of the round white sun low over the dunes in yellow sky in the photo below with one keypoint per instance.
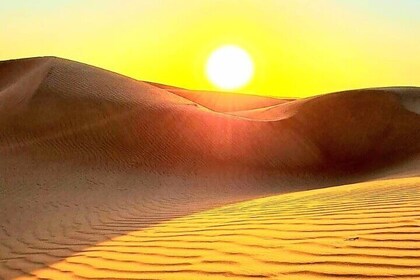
x,y
229,67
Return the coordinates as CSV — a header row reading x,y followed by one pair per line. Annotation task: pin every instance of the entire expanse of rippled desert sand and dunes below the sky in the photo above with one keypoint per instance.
x,y
103,176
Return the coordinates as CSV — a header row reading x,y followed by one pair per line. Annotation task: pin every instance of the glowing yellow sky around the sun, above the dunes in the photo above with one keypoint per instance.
x,y
299,47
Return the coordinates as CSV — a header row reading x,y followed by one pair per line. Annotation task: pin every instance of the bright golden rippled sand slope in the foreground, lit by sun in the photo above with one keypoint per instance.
x,y
368,230
